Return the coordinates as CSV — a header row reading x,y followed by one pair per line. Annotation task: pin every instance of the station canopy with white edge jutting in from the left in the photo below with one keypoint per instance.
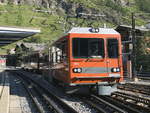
x,y
9,35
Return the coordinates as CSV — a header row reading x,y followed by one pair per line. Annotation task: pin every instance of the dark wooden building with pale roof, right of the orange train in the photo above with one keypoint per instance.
x,y
127,45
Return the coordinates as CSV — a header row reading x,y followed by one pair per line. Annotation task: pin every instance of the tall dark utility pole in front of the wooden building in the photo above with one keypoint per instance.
x,y
133,56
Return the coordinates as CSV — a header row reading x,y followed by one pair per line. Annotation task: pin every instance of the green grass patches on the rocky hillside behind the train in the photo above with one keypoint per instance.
x,y
52,26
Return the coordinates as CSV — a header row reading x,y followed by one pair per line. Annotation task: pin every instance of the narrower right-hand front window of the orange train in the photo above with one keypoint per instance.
x,y
112,48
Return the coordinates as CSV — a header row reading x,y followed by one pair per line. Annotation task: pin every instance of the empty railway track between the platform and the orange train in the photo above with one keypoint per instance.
x,y
54,103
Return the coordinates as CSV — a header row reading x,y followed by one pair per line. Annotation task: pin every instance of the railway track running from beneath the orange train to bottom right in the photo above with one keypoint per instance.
x,y
108,104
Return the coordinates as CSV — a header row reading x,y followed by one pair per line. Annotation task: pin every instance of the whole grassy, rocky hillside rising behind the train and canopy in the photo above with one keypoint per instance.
x,y
55,17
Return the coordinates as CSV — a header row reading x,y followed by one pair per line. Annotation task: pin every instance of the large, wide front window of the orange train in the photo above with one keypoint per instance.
x,y
88,48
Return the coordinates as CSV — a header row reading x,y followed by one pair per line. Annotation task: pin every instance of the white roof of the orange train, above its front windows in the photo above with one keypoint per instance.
x,y
88,30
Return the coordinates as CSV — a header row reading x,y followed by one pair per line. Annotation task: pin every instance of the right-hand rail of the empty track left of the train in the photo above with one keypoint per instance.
x,y
48,93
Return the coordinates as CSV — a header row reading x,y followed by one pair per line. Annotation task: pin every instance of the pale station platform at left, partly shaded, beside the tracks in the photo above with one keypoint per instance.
x,y
13,96
